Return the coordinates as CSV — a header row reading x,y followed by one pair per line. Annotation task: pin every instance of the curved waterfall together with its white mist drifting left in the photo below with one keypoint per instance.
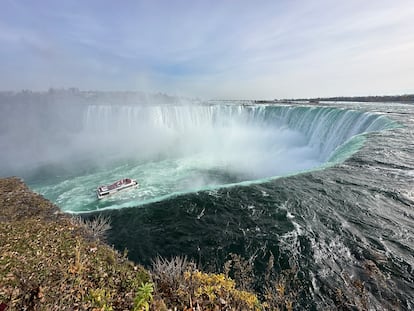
x,y
234,134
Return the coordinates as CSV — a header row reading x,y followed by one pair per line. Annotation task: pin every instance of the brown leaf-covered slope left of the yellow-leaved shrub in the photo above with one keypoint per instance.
x,y
49,261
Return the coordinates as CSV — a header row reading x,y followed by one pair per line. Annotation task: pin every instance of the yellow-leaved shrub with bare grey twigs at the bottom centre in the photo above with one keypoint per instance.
x,y
179,283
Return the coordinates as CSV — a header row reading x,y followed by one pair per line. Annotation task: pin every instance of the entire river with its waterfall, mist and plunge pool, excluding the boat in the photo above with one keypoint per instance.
x,y
327,190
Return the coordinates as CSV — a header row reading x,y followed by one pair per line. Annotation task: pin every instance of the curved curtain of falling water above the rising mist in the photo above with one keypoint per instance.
x,y
325,129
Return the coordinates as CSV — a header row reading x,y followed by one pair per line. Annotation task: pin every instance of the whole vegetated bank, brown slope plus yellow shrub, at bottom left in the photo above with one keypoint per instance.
x,y
52,261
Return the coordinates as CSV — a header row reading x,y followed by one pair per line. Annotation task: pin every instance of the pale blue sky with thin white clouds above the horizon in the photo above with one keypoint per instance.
x,y
210,49
